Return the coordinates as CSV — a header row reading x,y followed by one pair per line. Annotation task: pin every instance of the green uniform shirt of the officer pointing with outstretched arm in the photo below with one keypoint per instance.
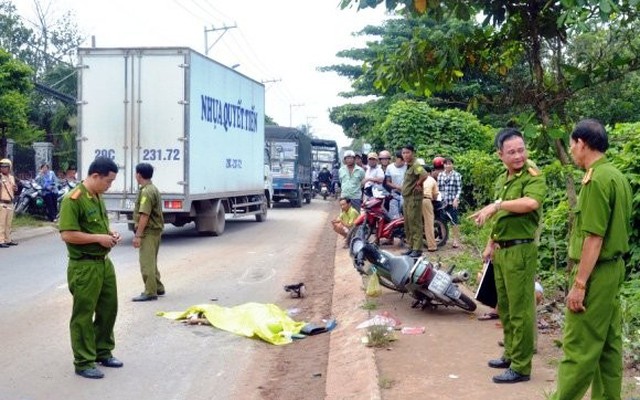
x,y
529,182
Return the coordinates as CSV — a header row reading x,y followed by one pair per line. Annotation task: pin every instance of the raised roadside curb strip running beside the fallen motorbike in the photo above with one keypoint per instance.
x,y
351,371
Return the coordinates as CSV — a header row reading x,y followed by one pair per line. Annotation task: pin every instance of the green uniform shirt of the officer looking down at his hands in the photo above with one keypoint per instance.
x,y
80,211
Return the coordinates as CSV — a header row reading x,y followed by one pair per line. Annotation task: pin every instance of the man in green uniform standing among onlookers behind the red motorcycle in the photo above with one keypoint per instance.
x,y
412,198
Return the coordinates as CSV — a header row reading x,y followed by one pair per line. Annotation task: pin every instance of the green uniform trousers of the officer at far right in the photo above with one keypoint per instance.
x,y
592,342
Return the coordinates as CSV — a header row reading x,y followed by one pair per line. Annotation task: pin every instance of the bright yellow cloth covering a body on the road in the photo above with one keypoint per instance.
x,y
266,321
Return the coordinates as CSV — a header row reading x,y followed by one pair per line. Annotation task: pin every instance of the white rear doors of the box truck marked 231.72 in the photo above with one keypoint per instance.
x,y
133,110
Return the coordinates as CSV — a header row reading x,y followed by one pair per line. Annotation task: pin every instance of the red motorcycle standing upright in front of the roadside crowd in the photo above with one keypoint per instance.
x,y
374,219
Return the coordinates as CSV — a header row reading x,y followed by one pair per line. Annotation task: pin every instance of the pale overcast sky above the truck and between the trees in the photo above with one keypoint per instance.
x,y
275,40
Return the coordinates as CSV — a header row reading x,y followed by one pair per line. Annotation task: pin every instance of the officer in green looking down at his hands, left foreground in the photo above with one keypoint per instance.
x,y
84,227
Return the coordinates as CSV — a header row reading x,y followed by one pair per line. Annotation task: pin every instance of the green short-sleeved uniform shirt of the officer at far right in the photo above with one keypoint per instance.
x,y
603,209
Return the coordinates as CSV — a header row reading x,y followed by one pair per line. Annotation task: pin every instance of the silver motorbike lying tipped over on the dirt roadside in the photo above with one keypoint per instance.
x,y
426,282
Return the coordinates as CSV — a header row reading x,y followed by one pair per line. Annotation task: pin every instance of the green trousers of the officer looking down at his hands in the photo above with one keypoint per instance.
x,y
92,284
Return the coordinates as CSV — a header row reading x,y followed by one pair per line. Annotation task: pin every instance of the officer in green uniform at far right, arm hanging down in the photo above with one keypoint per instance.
x,y
592,342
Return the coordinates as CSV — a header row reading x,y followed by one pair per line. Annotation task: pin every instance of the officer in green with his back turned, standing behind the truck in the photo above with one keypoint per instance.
x,y
149,223
